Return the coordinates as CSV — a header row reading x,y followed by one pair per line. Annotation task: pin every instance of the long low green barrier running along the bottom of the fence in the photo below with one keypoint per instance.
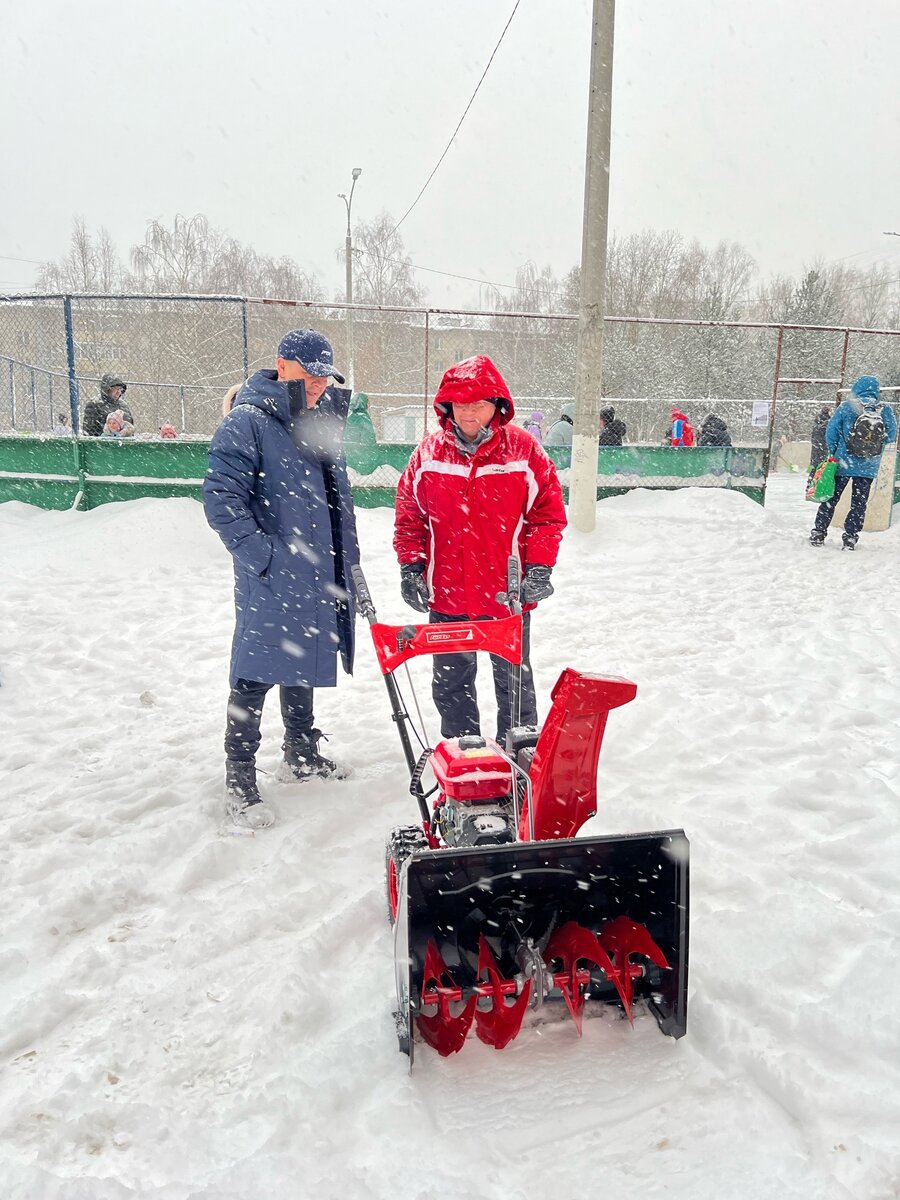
x,y
61,473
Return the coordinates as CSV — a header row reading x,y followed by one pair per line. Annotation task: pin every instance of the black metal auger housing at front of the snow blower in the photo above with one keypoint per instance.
x,y
525,892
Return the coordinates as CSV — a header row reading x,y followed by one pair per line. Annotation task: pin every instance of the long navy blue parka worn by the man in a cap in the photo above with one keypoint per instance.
x,y
279,497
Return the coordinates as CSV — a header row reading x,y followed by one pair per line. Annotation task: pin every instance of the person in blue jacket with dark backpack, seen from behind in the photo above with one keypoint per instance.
x,y
856,437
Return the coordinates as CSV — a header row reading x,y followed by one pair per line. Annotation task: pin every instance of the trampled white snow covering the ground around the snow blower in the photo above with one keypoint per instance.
x,y
187,1015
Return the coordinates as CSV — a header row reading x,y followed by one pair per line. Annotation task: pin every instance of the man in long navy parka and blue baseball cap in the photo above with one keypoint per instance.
x,y
279,497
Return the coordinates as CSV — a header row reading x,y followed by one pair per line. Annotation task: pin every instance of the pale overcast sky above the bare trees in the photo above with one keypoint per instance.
x,y
772,123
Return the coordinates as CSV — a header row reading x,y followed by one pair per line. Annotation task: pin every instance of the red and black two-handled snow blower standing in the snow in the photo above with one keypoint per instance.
x,y
499,909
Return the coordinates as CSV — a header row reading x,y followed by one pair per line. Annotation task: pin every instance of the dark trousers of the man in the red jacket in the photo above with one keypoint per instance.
x,y
454,687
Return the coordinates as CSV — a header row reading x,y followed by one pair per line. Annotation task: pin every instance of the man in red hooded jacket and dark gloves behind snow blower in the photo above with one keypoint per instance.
x,y
476,493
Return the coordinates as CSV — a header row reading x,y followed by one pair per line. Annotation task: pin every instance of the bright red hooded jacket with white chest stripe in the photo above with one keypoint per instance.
x,y
464,515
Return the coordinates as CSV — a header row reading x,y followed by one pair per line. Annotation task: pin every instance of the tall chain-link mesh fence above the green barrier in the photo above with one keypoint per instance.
x,y
181,355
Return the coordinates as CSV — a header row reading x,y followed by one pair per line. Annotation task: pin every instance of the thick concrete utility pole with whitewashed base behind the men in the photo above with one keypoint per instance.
x,y
583,477
